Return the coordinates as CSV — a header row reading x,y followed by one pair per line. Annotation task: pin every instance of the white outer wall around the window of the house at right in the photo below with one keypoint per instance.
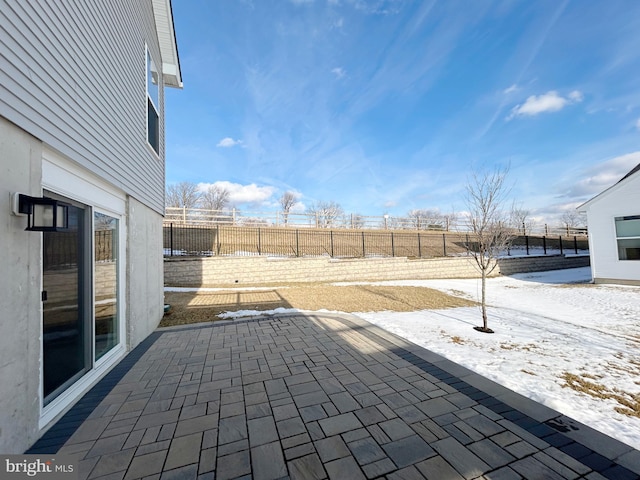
x,y
621,200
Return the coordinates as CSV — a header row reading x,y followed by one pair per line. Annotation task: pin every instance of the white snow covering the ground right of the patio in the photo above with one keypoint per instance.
x,y
546,331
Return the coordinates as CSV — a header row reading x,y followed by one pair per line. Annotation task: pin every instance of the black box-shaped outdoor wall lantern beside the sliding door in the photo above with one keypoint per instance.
x,y
43,214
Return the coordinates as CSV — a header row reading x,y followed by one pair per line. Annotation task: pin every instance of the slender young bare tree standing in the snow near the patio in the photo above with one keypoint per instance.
x,y
485,196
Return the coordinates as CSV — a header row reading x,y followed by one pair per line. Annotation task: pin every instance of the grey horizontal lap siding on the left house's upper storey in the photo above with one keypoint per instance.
x,y
73,74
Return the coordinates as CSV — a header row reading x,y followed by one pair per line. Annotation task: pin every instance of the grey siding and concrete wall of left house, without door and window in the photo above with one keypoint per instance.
x,y
73,122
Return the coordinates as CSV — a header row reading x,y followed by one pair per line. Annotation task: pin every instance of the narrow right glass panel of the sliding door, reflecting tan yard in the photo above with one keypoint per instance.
x,y
106,282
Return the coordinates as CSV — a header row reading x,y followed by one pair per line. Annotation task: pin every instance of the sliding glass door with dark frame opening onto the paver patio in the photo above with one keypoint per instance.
x,y
80,314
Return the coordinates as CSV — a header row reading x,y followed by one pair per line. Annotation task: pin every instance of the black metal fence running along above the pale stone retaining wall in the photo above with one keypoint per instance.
x,y
223,240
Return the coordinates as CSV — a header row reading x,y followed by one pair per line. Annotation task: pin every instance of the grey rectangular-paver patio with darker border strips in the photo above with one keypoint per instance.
x,y
317,396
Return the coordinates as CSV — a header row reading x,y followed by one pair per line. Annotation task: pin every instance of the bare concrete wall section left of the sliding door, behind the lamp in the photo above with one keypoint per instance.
x,y
20,308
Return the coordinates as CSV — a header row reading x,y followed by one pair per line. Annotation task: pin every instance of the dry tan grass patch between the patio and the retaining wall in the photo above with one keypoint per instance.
x,y
204,307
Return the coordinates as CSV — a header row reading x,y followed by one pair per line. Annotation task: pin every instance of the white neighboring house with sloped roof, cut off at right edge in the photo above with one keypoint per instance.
x,y
614,231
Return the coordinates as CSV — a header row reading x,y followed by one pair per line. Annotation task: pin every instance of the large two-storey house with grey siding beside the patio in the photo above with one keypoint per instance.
x,y
81,123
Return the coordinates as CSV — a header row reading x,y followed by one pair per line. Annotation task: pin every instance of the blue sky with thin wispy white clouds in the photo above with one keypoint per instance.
x,y
387,106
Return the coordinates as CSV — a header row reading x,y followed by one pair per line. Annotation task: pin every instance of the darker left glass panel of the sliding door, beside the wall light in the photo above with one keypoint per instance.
x,y
64,318
